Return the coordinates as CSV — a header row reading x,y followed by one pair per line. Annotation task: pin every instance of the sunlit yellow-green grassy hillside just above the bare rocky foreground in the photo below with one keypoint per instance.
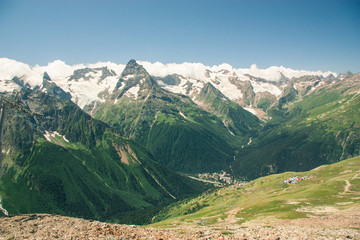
x,y
268,199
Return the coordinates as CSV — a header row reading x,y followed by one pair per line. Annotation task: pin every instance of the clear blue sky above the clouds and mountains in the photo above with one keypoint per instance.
x,y
310,35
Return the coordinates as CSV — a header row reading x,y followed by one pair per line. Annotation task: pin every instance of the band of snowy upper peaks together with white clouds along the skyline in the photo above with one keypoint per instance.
x,y
88,83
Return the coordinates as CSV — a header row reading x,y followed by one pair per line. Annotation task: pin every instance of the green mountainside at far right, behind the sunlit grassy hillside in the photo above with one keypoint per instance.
x,y
322,127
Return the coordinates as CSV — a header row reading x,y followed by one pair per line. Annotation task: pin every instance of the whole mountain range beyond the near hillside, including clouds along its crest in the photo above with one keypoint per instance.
x,y
104,134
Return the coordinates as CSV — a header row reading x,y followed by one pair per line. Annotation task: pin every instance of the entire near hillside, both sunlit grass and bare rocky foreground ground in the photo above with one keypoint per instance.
x,y
324,205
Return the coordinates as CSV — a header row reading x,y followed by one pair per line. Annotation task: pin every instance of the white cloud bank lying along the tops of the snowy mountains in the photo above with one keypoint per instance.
x,y
58,69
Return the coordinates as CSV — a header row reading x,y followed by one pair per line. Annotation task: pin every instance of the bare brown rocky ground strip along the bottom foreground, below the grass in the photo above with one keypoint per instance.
x,y
340,225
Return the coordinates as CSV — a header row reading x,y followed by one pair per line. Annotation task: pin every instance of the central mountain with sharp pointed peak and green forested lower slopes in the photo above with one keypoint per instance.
x,y
174,129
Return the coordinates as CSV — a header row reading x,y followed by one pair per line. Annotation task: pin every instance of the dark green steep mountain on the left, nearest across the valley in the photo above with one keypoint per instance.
x,y
60,160
